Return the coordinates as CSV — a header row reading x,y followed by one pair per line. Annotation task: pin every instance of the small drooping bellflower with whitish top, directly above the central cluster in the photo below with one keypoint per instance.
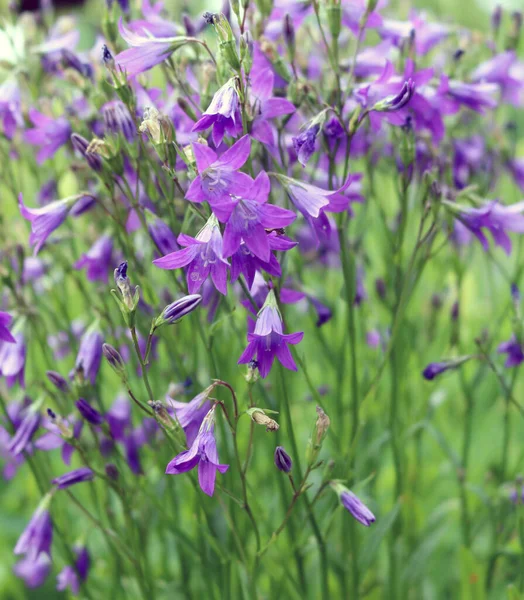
x,y
223,114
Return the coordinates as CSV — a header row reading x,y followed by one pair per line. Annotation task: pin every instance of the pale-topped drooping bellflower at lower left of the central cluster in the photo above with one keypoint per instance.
x,y
203,256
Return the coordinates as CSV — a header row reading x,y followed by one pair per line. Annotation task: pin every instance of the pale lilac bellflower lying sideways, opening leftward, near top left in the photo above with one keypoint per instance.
x,y
146,51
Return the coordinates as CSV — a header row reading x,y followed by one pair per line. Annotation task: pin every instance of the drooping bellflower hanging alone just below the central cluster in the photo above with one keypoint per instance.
x,y
268,341
